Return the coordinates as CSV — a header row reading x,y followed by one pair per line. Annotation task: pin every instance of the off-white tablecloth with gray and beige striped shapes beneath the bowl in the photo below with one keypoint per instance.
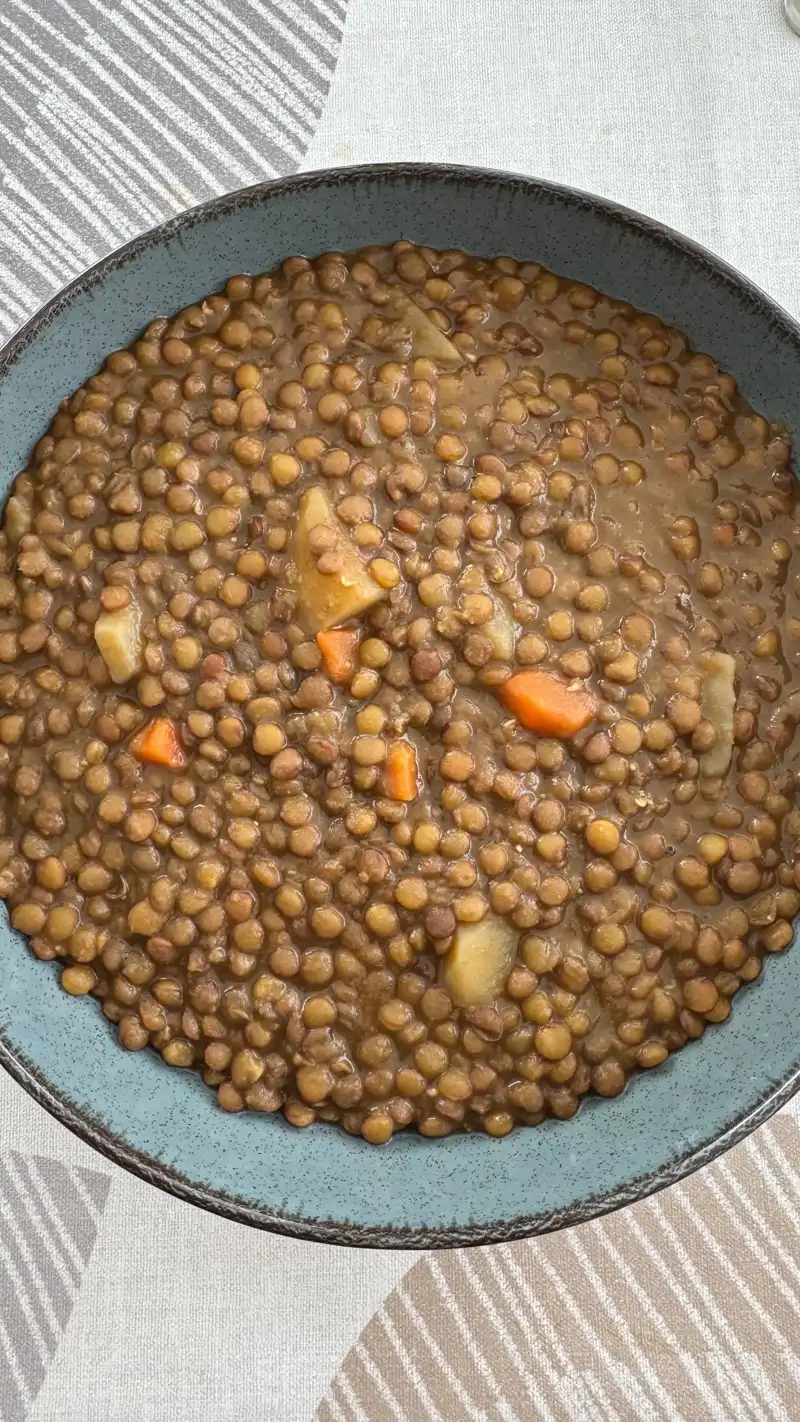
x,y
117,1303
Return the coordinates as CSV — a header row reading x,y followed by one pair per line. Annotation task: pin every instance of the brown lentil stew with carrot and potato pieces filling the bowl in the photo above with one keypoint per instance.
x,y
400,690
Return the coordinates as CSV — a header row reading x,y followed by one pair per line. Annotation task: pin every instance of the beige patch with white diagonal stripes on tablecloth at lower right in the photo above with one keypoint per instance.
x,y
676,1310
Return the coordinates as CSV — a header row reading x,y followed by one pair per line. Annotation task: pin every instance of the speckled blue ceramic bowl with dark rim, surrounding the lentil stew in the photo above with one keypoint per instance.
x,y
322,1184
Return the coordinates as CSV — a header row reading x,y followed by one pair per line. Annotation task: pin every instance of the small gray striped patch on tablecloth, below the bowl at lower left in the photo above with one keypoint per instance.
x,y
49,1219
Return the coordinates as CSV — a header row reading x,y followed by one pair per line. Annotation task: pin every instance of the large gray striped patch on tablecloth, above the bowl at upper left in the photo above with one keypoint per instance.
x,y
116,114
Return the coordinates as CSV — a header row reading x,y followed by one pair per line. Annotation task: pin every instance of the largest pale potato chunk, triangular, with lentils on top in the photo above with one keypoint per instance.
x,y
329,599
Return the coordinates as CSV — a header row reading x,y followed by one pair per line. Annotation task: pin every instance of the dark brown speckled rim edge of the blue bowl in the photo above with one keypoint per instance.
x,y
218,1202
